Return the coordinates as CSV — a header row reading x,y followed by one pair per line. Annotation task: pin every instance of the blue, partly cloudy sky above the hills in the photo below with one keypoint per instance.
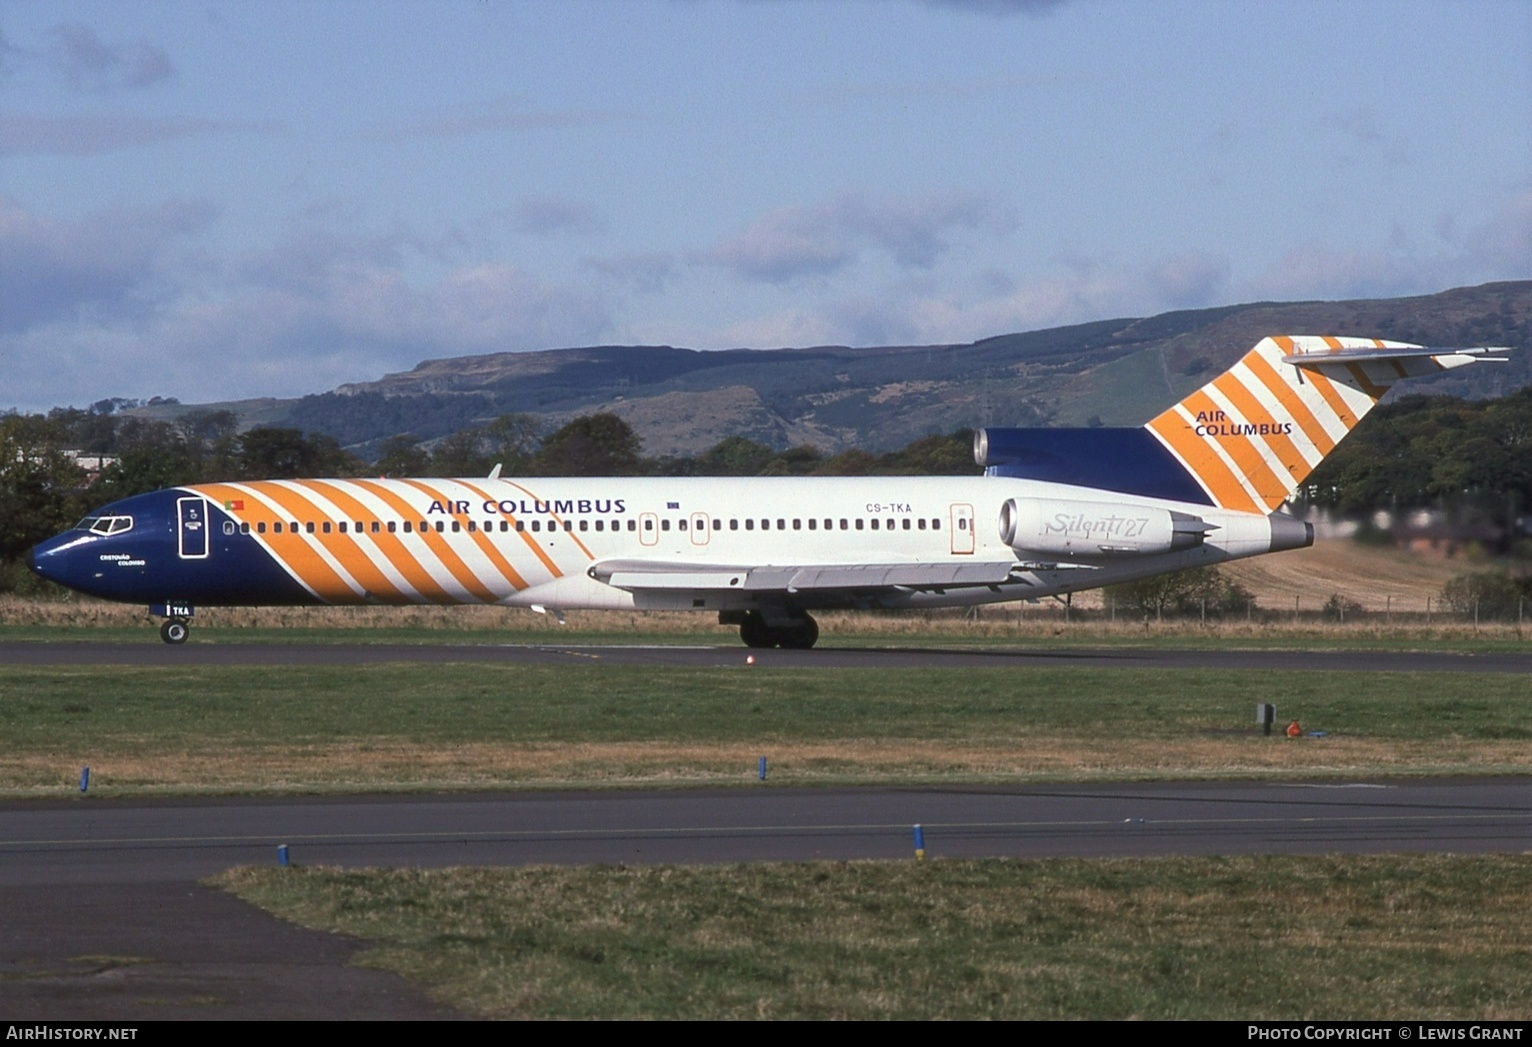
x,y
231,200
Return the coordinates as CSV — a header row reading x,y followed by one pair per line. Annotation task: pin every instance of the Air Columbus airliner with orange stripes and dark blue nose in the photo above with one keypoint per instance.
x,y
1056,511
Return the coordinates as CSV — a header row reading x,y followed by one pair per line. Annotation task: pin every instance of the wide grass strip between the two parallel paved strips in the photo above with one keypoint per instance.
x,y
466,726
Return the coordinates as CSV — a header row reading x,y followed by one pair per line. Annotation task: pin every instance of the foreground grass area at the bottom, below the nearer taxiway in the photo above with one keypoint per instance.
x,y
1246,937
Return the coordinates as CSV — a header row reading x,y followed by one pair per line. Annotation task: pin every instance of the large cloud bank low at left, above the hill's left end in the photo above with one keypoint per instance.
x,y
122,304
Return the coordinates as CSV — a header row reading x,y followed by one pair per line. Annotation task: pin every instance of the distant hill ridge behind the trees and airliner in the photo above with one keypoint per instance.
x,y
683,401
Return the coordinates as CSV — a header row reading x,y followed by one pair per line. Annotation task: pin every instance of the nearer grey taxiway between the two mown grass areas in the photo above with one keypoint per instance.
x,y
169,841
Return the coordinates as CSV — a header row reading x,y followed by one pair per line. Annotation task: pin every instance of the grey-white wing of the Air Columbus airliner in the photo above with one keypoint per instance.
x,y
637,576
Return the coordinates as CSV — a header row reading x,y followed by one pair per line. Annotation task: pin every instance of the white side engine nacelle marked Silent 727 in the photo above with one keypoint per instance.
x,y
1067,528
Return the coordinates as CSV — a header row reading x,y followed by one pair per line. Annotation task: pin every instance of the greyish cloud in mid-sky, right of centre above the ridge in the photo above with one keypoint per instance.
x,y
819,240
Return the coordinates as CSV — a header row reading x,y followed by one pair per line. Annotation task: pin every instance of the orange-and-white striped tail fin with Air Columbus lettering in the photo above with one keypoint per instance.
x,y
1252,435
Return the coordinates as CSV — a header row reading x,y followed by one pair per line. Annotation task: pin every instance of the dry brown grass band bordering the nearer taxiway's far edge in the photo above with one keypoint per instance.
x,y
404,766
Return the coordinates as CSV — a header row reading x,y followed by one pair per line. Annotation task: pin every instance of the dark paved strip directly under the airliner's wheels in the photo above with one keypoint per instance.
x,y
152,652
